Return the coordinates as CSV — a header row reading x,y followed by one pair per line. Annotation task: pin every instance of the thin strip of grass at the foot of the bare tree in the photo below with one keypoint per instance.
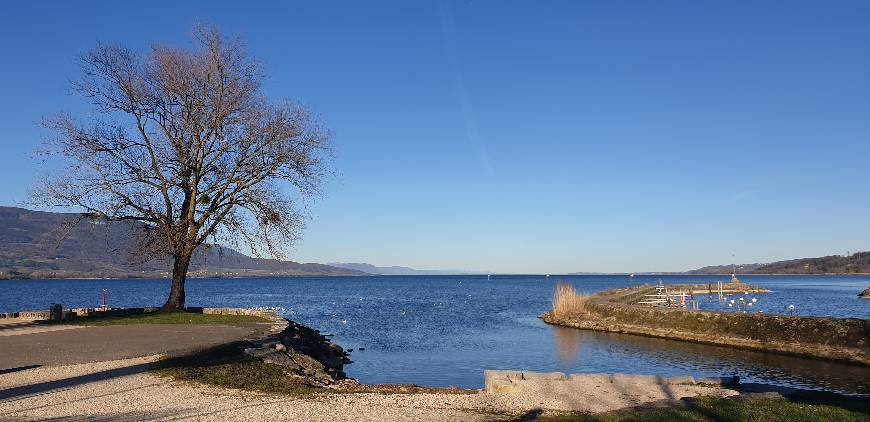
x,y
165,318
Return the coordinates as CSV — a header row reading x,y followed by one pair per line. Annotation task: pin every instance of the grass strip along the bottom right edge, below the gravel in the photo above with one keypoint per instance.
x,y
739,409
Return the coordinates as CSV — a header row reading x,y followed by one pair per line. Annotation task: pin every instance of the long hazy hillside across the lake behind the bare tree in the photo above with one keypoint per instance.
x,y
31,246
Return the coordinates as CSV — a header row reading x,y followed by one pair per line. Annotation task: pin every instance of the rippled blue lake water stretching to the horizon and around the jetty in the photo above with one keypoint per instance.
x,y
445,330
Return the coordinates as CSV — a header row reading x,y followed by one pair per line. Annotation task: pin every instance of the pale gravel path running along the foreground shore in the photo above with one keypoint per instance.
x,y
122,390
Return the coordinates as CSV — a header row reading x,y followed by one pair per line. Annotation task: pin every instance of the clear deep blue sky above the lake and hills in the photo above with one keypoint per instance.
x,y
529,136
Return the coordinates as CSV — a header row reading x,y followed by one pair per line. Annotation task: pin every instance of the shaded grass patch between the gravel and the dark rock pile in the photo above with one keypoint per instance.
x,y
227,366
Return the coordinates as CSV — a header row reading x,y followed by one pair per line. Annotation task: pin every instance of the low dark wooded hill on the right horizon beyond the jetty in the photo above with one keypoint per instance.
x,y
857,263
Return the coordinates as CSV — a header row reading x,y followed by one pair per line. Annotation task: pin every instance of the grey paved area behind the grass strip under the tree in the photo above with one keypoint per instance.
x,y
32,345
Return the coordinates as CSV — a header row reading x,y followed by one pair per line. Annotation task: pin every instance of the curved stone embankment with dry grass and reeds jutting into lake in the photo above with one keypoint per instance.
x,y
617,310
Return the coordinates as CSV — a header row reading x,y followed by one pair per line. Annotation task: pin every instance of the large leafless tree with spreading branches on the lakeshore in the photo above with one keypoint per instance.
x,y
185,143
